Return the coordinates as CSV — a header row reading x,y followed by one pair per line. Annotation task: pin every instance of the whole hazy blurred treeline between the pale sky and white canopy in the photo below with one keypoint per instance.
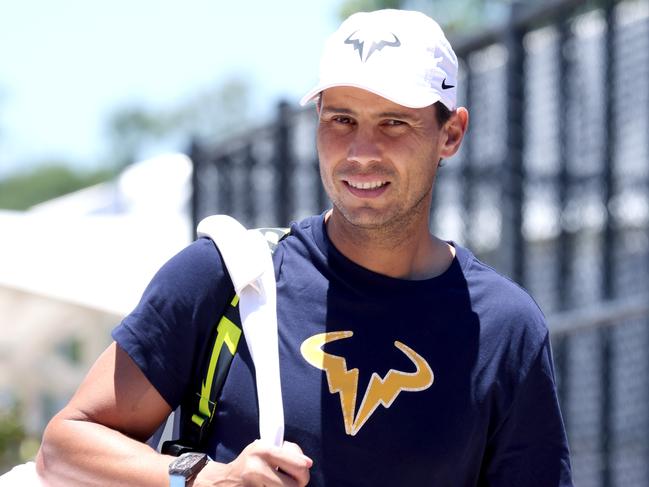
x,y
216,113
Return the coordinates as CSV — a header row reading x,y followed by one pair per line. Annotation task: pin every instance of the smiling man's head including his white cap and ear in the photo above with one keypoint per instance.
x,y
387,115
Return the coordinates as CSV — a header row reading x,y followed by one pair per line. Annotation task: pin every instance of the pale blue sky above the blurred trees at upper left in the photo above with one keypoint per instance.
x,y
65,65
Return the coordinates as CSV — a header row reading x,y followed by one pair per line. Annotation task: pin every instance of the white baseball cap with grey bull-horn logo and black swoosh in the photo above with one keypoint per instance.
x,y
397,54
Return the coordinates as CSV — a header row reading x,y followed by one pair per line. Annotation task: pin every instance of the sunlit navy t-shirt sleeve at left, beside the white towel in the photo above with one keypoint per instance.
x,y
166,333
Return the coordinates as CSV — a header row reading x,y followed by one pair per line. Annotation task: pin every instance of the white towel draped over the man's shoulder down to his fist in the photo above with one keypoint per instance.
x,y
249,263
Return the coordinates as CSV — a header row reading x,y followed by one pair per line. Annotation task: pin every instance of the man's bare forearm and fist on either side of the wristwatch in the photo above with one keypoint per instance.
x,y
78,453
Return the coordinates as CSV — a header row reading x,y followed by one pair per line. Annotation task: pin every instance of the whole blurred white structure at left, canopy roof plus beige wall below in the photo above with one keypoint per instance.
x,y
72,267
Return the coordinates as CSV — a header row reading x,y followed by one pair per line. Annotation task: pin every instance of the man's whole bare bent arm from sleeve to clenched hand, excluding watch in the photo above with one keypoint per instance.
x,y
97,439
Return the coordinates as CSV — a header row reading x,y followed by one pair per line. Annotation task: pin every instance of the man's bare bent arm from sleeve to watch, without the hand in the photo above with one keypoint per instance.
x,y
97,438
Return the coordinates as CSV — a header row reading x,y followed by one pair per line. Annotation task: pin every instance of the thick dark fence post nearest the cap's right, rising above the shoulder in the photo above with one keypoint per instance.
x,y
514,178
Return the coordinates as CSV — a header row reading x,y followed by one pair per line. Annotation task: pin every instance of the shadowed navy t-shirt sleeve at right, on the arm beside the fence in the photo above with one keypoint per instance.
x,y
530,446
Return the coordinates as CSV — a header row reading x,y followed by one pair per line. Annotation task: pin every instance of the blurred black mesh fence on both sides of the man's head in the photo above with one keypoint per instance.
x,y
551,187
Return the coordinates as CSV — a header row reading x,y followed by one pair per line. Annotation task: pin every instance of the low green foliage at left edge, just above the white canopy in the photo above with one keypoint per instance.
x,y
25,189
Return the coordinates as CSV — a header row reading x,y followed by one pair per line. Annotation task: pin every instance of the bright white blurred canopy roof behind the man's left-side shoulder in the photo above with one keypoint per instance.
x,y
98,248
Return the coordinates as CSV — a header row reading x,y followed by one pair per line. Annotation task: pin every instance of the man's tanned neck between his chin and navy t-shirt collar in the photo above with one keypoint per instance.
x,y
408,252
